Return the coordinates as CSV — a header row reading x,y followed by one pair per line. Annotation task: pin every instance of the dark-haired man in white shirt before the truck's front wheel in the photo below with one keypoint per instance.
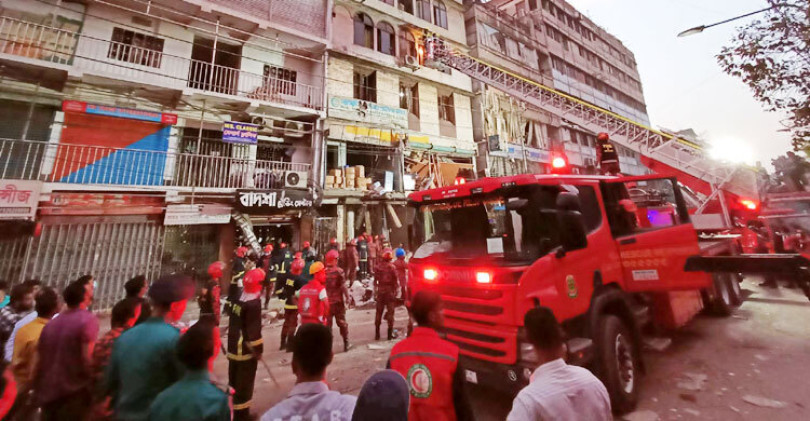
x,y
557,391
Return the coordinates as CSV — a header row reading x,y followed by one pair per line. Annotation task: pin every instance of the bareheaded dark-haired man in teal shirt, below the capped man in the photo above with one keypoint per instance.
x,y
195,349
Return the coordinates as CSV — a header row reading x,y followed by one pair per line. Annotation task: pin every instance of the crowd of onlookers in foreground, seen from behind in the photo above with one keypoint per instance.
x,y
146,368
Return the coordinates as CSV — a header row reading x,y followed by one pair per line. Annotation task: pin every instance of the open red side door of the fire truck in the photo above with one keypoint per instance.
x,y
650,224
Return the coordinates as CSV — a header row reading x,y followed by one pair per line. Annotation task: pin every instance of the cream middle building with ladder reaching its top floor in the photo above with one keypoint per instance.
x,y
404,123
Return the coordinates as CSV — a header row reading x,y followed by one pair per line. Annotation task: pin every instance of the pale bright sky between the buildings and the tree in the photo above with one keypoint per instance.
x,y
684,87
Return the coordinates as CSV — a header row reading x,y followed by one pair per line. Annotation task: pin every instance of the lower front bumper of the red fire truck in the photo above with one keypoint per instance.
x,y
502,377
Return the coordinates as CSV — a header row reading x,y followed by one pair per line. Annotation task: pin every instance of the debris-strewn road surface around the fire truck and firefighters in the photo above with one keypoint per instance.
x,y
754,365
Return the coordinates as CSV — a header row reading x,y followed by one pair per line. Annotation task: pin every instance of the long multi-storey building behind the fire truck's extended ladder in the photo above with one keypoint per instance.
x,y
550,42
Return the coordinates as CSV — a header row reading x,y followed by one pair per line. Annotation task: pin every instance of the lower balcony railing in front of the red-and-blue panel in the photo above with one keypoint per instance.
x,y
83,164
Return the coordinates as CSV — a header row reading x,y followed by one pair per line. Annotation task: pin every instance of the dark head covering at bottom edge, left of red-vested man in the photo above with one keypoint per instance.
x,y
385,396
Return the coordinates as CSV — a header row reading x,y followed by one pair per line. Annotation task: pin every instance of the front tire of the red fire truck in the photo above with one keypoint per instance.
x,y
618,363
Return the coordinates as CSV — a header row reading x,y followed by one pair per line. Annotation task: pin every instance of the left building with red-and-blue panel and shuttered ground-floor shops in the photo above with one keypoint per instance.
x,y
135,132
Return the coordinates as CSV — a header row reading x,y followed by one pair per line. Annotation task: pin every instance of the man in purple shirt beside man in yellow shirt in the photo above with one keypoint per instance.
x,y
63,378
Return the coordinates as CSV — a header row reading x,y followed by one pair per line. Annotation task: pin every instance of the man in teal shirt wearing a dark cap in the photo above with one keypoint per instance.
x,y
143,361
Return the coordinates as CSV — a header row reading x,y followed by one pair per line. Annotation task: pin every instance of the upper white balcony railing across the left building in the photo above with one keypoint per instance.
x,y
127,62
